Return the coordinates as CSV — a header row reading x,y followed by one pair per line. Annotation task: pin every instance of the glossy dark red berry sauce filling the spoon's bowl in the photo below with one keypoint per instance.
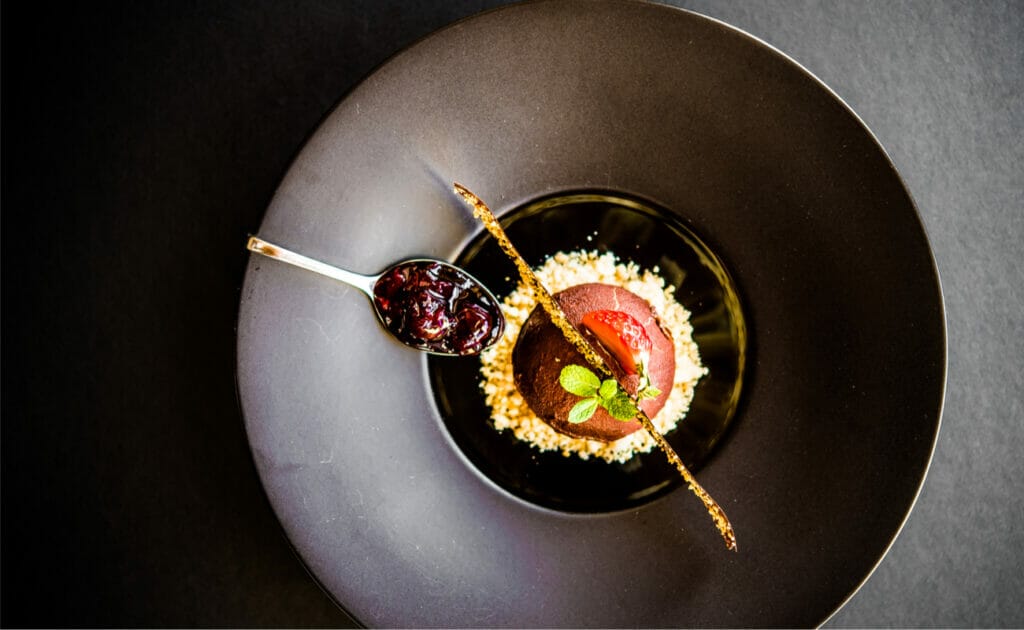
x,y
438,308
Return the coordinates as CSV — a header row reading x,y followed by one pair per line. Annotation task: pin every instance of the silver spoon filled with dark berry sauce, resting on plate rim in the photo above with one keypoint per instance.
x,y
429,305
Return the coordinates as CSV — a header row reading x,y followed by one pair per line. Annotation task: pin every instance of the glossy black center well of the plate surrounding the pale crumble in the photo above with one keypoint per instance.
x,y
653,239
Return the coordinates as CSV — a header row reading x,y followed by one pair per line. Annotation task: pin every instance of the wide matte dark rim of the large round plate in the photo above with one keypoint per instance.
x,y
395,511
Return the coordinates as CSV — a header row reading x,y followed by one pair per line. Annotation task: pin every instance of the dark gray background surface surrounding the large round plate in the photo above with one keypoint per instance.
x,y
142,143
